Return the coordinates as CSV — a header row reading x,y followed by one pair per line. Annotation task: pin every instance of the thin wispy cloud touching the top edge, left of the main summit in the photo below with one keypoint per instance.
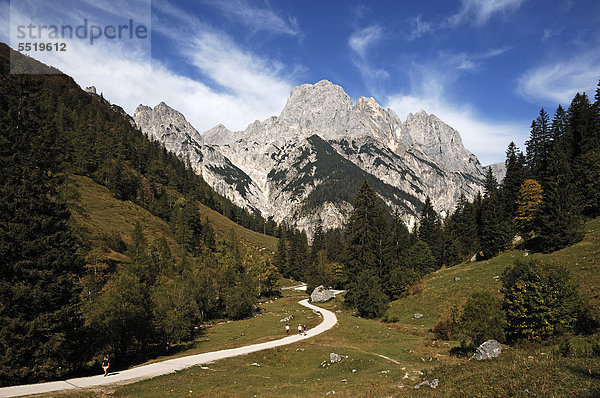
x,y
256,18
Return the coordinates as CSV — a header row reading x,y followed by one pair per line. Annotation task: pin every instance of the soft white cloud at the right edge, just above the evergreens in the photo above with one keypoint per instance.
x,y
559,81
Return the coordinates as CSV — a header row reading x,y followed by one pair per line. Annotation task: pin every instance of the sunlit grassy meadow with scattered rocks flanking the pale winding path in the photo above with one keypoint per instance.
x,y
389,359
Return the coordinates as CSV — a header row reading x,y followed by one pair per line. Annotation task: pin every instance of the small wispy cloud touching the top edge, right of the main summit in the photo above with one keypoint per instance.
x,y
478,12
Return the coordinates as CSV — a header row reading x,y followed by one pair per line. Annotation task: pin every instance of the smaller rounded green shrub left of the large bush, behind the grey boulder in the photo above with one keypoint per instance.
x,y
482,319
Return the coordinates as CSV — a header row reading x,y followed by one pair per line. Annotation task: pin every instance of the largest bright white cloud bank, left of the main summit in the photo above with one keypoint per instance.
x,y
247,86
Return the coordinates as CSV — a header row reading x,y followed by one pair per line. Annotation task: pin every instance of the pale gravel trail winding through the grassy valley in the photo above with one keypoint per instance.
x,y
170,365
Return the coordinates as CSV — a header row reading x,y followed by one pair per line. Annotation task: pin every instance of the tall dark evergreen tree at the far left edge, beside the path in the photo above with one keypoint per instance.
x,y
39,313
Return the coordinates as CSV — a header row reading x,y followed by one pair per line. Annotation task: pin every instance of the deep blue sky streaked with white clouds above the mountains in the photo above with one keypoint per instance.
x,y
483,66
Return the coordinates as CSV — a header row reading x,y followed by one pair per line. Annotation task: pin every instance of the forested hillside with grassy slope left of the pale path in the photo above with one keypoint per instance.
x,y
106,241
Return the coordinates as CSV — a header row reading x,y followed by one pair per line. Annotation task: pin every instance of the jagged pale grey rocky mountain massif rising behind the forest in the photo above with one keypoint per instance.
x,y
308,162
